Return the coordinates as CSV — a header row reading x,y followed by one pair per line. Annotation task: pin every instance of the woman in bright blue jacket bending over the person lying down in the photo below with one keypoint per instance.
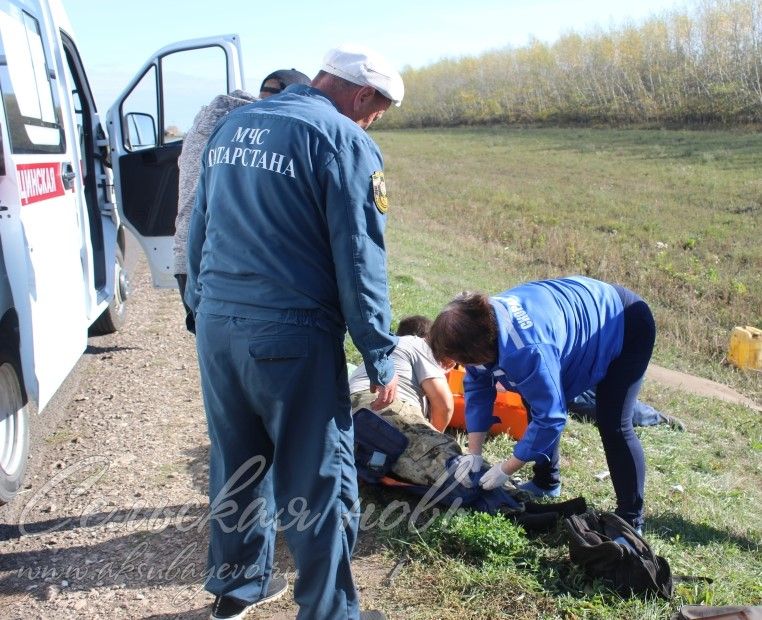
x,y
550,341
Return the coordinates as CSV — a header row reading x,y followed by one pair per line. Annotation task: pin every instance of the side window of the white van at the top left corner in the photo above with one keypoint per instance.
x,y
31,101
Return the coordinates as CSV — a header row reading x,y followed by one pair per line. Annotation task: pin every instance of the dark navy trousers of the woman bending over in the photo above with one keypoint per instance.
x,y
616,396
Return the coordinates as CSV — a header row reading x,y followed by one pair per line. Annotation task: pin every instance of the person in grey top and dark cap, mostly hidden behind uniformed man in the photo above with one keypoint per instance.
x,y
190,159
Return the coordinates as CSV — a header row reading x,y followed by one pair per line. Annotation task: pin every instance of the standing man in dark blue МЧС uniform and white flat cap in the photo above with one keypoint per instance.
x,y
285,251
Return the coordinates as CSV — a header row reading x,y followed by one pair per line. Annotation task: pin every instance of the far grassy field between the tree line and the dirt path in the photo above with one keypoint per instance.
x,y
674,215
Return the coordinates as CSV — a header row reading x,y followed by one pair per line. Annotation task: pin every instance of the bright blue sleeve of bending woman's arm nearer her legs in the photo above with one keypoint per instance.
x,y
536,372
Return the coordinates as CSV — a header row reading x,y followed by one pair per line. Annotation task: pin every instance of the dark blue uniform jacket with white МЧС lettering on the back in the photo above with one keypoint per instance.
x,y
288,223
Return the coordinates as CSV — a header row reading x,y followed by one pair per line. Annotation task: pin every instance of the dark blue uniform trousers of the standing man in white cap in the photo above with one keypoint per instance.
x,y
277,405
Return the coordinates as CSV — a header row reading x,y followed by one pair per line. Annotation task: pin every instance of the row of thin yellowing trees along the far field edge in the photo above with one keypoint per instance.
x,y
702,65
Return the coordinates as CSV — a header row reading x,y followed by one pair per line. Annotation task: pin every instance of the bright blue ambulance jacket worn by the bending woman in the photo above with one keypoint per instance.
x,y
556,339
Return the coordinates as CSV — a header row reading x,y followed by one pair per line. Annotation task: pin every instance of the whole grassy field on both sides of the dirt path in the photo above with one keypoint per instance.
x,y
674,215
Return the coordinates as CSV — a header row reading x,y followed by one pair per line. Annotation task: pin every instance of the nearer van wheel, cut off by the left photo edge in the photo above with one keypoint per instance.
x,y
14,431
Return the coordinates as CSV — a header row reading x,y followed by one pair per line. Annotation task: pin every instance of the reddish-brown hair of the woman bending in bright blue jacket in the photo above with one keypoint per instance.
x,y
465,331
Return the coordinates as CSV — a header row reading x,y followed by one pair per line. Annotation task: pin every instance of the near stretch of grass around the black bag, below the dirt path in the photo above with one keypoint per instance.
x,y
480,567
